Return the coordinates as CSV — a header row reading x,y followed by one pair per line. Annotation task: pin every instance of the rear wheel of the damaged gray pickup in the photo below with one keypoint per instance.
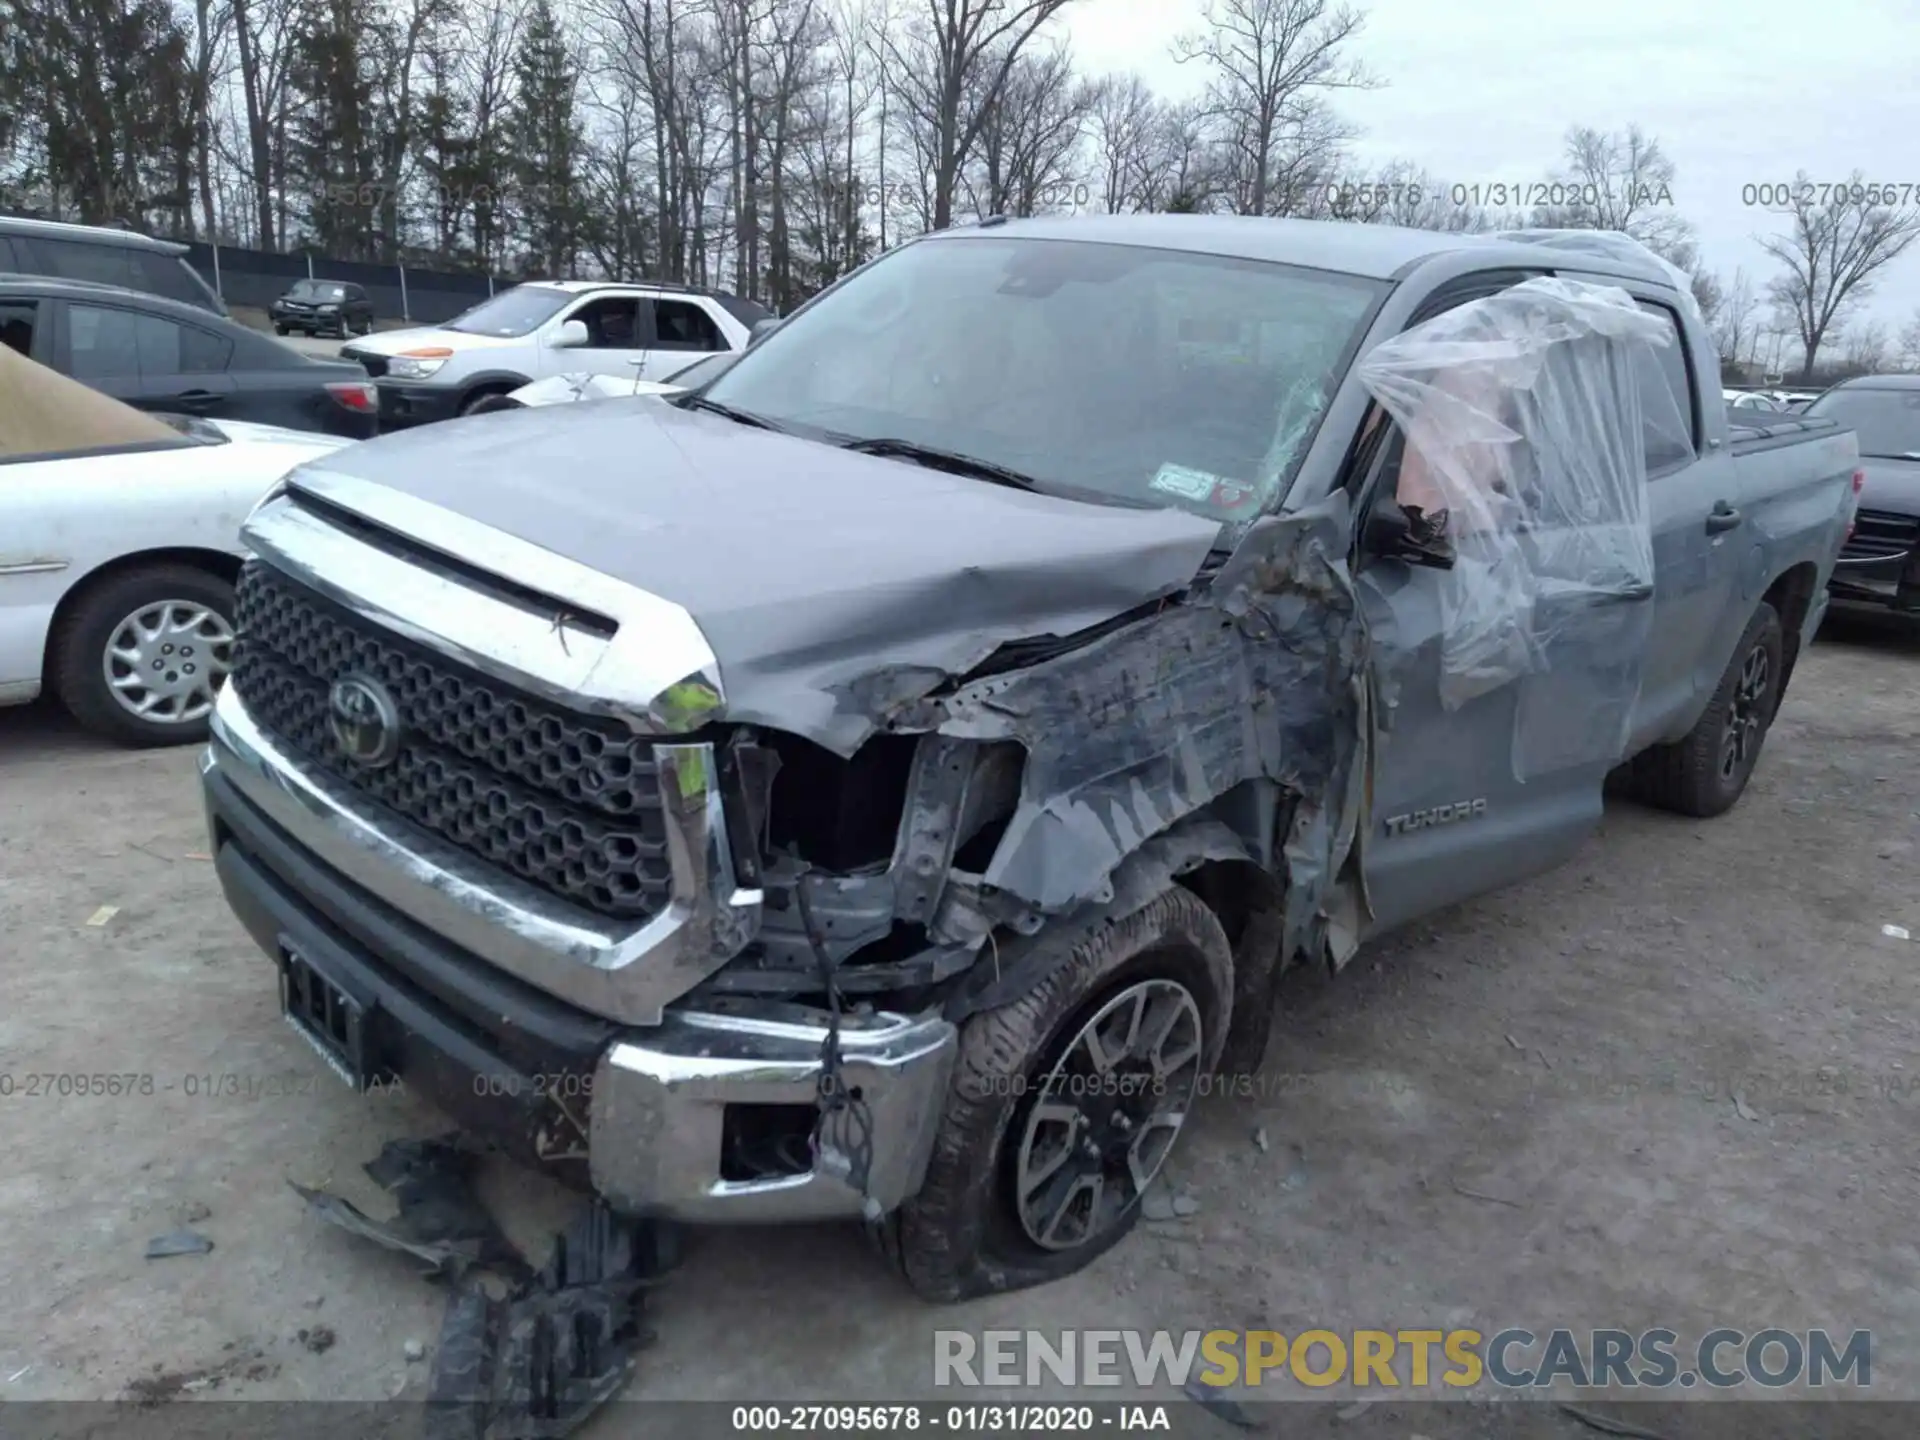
x,y
1708,773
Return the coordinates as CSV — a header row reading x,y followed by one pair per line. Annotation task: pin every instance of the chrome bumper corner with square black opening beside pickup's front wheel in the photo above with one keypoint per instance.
x,y
661,1097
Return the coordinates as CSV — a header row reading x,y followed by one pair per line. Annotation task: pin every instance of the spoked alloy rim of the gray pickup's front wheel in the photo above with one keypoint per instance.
x,y
1109,1115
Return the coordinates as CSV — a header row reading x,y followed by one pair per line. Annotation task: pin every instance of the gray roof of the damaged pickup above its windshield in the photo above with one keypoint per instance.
x,y
1380,252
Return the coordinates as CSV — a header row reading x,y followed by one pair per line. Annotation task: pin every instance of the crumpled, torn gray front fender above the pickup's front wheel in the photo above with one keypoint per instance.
x,y
1259,677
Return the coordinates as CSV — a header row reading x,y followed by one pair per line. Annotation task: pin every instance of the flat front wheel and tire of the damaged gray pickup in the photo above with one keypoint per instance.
x,y
1067,1103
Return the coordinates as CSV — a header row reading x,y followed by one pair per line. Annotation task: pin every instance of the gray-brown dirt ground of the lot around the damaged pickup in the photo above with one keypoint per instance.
x,y
1593,1101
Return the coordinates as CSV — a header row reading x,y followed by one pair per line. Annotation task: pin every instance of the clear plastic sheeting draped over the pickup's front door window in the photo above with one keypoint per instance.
x,y
1527,418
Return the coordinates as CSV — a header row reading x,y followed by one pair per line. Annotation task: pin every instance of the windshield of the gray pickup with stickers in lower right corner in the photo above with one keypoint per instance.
x,y
1103,372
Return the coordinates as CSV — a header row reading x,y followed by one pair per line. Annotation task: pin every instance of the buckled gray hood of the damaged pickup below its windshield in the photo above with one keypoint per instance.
x,y
832,587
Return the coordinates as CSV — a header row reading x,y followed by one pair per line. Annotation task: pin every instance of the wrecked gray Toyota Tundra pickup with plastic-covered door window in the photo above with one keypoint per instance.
x,y
890,780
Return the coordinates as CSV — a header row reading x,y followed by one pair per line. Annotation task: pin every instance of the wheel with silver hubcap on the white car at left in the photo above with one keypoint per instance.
x,y
141,658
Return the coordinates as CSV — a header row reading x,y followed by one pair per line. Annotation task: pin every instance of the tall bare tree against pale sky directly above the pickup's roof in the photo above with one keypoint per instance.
x,y
1270,68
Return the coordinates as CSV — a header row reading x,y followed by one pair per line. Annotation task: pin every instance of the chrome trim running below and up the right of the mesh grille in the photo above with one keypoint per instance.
x,y
598,965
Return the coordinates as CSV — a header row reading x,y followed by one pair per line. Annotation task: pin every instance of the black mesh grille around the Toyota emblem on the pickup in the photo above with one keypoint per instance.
x,y
562,800
